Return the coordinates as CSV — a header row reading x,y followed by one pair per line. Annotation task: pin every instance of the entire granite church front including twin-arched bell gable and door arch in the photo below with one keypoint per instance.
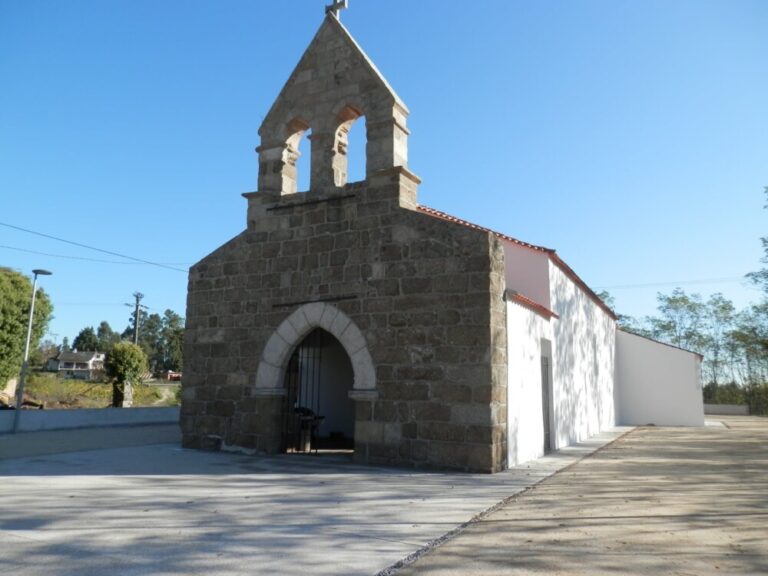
x,y
420,299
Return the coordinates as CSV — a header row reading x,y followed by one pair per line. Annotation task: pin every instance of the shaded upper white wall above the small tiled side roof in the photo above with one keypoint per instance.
x,y
527,272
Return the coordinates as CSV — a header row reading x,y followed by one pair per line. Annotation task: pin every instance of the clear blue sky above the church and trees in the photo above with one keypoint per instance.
x,y
631,136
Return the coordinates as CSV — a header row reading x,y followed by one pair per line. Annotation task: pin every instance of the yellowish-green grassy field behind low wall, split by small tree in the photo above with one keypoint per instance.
x,y
57,393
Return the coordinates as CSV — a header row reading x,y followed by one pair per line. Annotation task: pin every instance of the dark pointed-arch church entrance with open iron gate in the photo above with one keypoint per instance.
x,y
319,414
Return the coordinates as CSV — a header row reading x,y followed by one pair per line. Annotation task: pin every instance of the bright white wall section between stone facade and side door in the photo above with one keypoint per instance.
x,y
525,422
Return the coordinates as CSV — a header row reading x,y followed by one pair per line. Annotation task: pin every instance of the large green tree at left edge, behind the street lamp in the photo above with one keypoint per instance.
x,y
15,299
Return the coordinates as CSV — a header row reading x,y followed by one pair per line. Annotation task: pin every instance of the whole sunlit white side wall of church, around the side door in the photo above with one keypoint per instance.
x,y
583,344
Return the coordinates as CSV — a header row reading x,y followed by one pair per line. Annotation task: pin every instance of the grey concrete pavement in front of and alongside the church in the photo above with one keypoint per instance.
x,y
163,510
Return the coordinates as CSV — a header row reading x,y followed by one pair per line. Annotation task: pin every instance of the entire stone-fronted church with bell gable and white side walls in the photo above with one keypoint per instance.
x,y
349,317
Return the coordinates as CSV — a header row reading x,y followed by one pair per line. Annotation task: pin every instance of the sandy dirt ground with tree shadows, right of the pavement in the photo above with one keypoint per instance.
x,y
684,501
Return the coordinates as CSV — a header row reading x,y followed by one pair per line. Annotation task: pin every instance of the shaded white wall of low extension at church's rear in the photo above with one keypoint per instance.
x,y
657,384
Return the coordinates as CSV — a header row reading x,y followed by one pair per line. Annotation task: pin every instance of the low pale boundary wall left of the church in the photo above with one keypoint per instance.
x,y
36,420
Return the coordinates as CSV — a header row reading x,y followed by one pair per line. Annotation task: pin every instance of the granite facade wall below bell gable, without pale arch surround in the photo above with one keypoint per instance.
x,y
426,294
